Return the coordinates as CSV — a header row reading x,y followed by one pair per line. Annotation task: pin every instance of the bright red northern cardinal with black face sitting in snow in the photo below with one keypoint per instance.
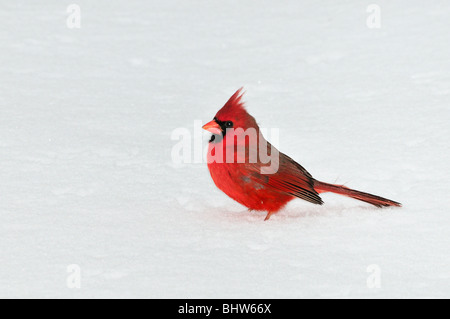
x,y
246,182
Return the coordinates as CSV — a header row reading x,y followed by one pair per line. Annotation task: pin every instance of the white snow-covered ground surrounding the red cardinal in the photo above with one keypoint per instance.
x,y
87,177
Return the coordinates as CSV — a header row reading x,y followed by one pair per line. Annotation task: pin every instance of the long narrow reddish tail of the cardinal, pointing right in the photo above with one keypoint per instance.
x,y
377,201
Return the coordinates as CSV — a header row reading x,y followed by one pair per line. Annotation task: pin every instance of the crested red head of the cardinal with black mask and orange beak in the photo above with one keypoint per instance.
x,y
233,115
